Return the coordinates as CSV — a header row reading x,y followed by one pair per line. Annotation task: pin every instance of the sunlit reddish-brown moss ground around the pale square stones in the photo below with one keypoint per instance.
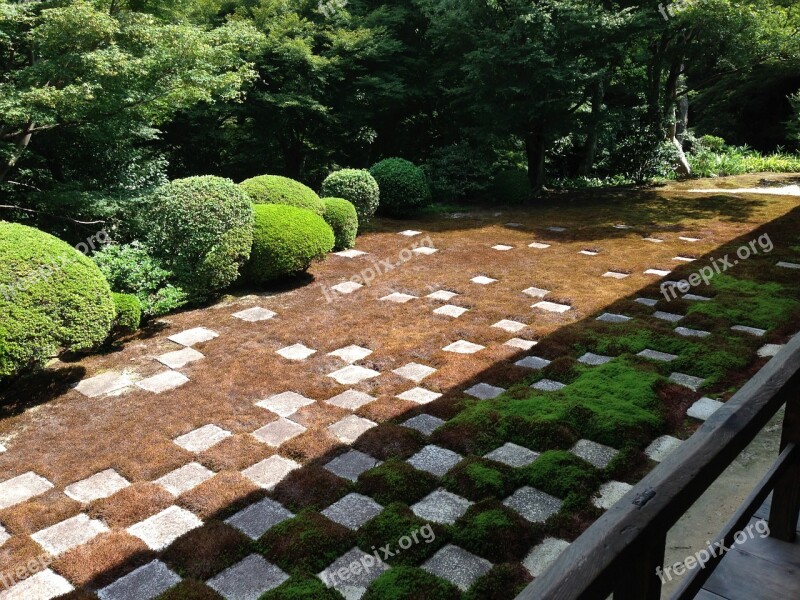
x,y
65,437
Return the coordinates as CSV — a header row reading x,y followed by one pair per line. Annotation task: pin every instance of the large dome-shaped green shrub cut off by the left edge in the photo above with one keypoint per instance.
x,y
52,298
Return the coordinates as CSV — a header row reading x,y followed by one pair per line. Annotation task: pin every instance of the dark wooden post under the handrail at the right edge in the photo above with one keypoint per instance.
x,y
785,508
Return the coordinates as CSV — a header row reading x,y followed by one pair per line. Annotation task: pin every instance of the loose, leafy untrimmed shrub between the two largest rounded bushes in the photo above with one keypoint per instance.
x,y
129,269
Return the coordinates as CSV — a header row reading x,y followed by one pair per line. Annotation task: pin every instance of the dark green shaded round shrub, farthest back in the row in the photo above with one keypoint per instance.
x,y
403,186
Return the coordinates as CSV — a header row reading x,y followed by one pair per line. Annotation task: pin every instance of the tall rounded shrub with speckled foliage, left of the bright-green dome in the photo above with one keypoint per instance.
x,y
201,229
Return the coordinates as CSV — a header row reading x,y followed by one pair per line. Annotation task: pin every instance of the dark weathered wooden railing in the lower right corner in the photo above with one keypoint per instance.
x,y
620,552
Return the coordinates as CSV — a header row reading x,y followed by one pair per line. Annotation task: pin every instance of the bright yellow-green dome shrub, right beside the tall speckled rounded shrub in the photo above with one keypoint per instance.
x,y
286,240
